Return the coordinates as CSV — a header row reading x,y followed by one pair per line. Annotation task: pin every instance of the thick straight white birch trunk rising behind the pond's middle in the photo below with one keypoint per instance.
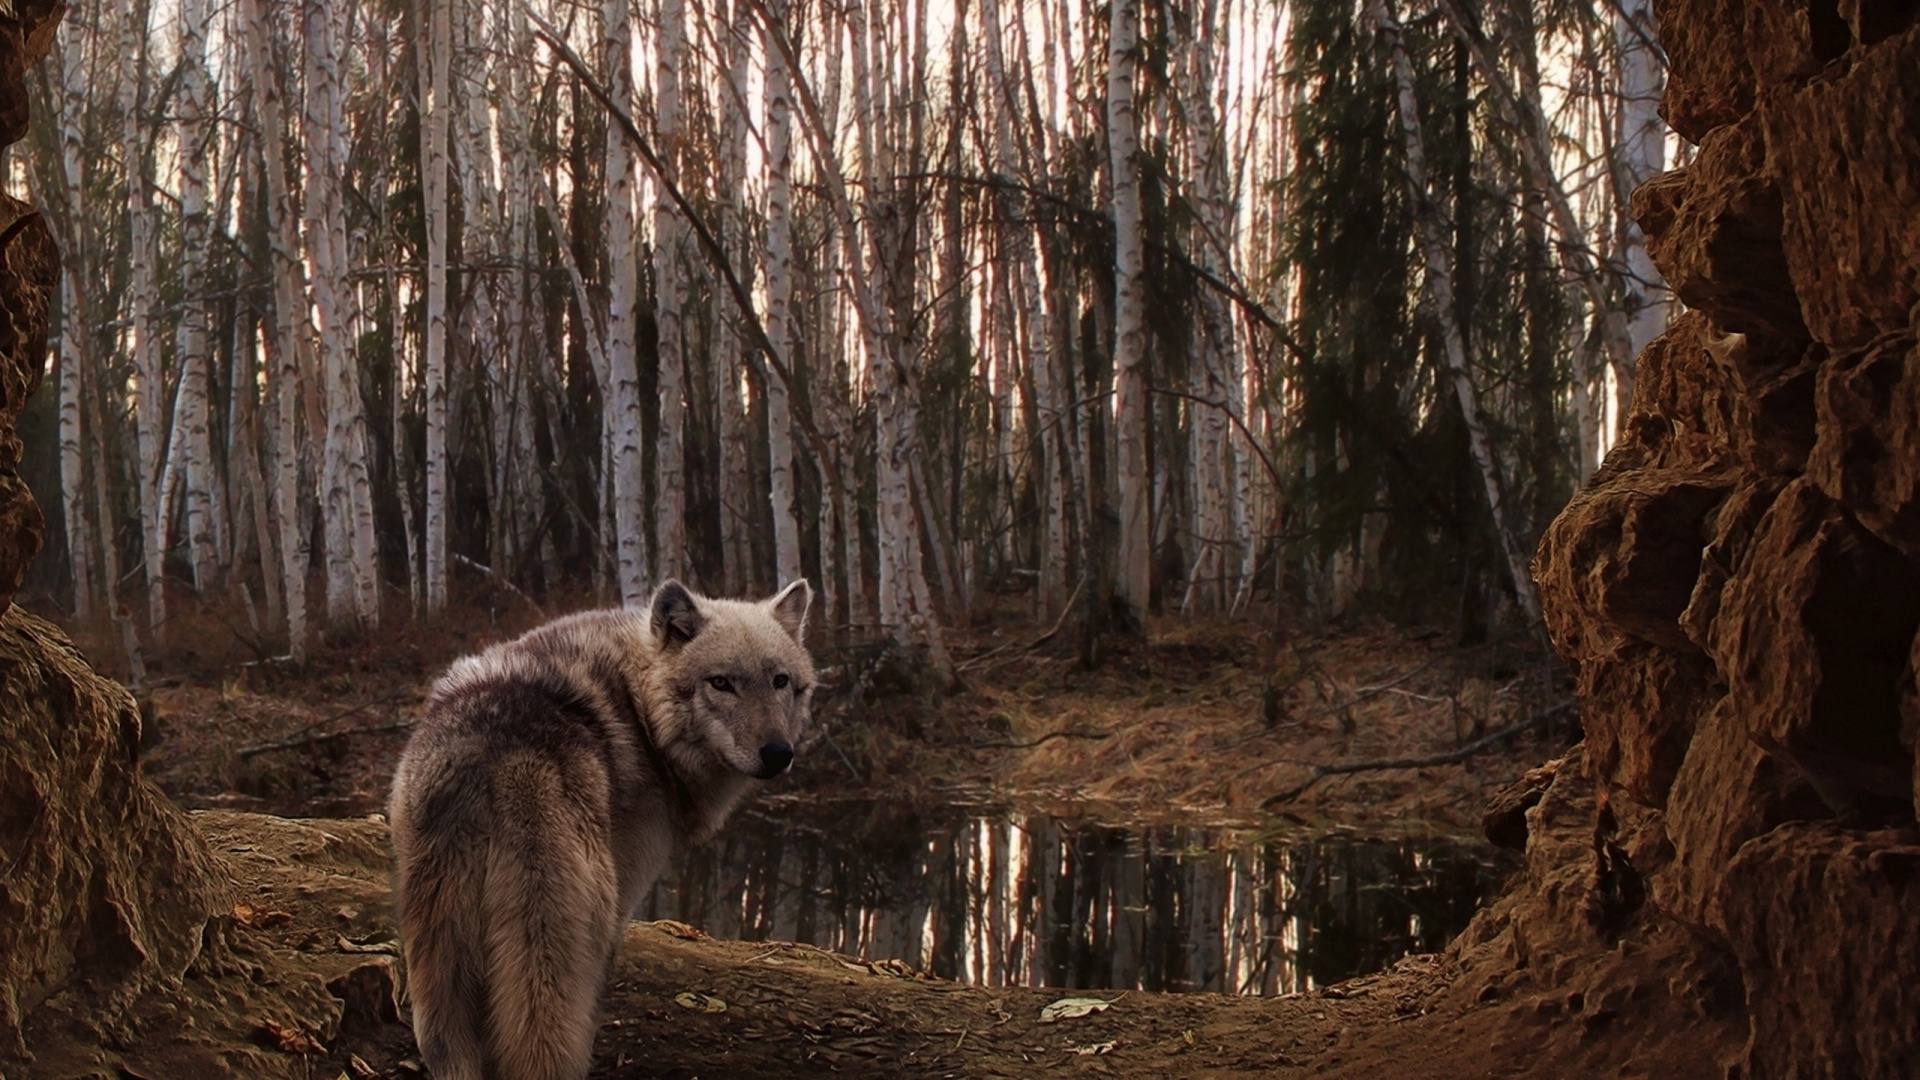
x,y
1130,316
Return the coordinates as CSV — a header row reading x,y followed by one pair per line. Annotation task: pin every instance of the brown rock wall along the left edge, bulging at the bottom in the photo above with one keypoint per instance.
x,y
105,887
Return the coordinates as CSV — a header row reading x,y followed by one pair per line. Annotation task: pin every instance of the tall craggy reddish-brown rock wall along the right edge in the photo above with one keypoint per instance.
x,y
1739,591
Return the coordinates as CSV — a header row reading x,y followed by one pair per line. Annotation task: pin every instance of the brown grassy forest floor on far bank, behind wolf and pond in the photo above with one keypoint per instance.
x,y
1199,724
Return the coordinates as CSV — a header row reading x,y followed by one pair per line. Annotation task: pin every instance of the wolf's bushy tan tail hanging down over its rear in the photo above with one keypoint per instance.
x,y
552,918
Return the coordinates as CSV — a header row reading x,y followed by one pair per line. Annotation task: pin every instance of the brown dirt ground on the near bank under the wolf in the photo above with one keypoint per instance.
x,y
300,981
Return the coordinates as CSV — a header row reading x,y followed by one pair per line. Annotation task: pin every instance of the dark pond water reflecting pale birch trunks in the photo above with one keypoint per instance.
x,y
1020,898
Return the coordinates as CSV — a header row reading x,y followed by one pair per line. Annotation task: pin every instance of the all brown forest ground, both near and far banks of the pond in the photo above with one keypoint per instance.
x,y
1201,722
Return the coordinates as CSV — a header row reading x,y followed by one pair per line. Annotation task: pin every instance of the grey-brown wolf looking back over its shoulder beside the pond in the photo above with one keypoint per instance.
x,y
544,791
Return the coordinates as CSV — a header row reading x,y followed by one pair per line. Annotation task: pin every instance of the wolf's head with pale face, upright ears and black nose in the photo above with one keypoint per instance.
x,y
736,674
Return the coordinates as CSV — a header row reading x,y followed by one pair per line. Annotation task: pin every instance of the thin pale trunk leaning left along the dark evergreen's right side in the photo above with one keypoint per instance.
x,y
1441,295
